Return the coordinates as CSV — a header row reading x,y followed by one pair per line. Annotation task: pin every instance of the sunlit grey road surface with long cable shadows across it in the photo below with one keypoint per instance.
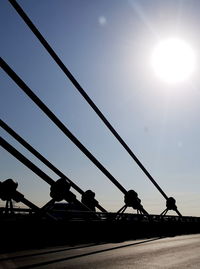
x,y
171,252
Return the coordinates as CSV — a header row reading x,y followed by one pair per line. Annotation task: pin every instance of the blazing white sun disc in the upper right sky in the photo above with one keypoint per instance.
x,y
173,60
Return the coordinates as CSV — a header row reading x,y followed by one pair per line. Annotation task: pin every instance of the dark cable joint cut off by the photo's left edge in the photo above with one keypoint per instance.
x,y
8,189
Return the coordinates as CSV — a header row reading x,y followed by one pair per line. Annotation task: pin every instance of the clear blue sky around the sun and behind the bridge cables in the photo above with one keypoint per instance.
x,y
107,45
